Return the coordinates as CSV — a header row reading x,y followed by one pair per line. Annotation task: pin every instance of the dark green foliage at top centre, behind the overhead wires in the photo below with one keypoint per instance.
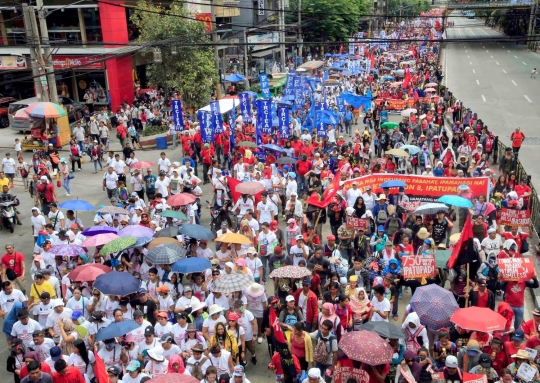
x,y
339,21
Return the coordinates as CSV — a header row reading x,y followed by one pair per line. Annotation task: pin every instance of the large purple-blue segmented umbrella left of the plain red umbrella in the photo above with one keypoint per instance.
x,y
434,305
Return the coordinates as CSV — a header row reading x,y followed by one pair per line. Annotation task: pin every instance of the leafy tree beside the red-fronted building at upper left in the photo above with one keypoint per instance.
x,y
191,70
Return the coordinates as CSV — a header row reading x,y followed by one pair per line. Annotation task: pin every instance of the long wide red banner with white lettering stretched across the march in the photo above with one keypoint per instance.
x,y
421,188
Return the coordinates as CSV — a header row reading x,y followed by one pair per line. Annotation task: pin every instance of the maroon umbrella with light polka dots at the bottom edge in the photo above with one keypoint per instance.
x,y
367,347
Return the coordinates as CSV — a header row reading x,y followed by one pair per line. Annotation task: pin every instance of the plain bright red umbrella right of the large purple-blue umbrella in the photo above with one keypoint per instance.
x,y
479,319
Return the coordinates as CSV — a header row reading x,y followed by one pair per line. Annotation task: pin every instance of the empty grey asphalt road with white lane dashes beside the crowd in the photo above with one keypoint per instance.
x,y
493,79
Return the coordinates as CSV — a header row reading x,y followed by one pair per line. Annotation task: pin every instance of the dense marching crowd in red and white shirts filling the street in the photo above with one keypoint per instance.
x,y
185,323
